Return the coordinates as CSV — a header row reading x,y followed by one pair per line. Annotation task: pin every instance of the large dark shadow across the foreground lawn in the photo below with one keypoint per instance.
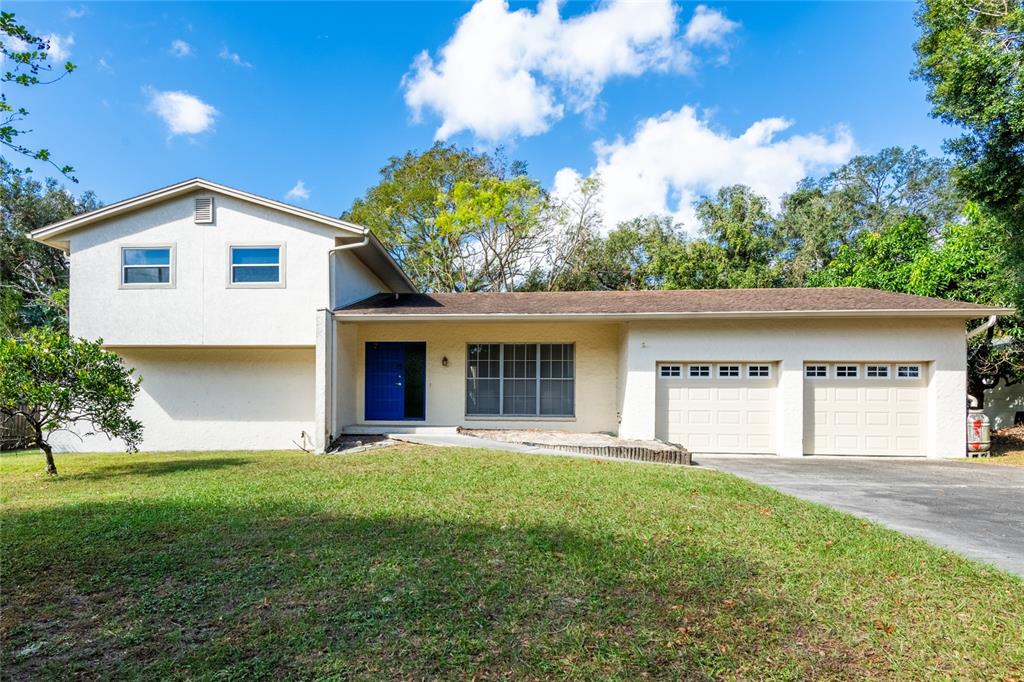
x,y
258,589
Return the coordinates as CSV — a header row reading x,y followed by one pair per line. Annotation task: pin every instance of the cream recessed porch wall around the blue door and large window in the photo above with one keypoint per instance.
x,y
596,367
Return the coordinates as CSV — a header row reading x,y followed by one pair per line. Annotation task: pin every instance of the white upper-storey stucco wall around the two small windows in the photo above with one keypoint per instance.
x,y
201,309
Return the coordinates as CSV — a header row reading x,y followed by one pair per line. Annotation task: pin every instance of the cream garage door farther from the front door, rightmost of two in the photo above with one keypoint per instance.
x,y
865,409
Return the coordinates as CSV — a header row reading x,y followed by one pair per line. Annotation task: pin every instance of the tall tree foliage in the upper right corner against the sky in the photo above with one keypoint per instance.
x,y
971,56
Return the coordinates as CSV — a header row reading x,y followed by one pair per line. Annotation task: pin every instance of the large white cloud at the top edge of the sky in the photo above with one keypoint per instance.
x,y
506,73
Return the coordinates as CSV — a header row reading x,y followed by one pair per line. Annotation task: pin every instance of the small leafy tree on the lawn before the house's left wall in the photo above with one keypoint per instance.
x,y
56,382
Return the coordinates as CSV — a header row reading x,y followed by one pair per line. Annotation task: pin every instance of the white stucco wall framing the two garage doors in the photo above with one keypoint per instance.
x,y
938,344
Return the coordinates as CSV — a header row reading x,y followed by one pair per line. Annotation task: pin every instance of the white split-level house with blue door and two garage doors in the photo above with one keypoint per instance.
x,y
260,325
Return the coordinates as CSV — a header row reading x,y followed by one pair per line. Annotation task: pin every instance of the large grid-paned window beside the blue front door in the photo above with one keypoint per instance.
x,y
521,379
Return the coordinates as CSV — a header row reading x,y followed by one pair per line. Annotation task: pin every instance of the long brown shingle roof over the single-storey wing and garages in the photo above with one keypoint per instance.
x,y
684,303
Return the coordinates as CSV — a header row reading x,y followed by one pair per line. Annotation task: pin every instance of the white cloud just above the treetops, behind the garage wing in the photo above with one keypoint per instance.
x,y
673,160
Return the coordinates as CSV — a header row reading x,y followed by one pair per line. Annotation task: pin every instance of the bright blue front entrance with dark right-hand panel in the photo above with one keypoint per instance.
x,y
396,381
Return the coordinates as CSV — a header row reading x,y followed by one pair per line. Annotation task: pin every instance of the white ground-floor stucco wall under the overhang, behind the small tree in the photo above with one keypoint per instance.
x,y
218,399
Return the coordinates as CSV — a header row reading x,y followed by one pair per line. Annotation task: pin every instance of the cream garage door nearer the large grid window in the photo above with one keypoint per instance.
x,y
717,407
